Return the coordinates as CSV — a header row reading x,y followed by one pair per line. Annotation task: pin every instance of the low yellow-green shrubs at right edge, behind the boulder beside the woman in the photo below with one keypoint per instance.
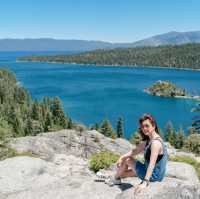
x,y
188,160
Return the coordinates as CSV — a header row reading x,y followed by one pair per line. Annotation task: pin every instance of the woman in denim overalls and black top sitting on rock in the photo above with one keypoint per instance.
x,y
155,157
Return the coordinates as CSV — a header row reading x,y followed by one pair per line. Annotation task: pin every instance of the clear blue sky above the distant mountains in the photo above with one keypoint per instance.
x,y
104,20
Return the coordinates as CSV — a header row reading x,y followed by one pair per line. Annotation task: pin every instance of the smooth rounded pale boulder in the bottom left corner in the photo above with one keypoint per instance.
x,y
20,173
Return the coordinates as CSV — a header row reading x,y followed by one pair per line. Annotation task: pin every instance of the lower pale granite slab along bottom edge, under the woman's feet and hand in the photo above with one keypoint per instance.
x,y
68,176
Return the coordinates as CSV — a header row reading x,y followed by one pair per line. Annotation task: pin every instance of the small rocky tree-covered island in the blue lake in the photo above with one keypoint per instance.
x,y
167,89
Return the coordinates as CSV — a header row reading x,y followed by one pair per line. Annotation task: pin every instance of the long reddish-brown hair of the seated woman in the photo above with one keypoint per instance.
x,y
149,117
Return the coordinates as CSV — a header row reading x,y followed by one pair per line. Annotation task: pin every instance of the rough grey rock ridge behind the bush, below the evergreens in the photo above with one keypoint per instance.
x,y
81,144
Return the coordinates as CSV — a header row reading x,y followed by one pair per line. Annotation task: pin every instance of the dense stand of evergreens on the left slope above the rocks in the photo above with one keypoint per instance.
x,y
23,115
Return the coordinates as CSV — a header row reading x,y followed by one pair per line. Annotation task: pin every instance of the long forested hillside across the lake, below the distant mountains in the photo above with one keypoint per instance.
x,y
178,56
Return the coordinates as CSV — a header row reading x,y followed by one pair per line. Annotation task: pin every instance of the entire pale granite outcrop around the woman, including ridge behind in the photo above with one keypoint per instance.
x,y
61,171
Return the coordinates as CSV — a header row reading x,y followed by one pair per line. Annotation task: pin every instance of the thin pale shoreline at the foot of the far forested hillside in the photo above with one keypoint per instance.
x,y
115,65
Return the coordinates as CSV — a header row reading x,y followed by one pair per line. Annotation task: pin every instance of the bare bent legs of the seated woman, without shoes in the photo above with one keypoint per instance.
x,y
124,170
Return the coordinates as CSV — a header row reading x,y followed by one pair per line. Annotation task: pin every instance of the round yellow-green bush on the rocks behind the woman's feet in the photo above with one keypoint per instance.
x,y
102,160
